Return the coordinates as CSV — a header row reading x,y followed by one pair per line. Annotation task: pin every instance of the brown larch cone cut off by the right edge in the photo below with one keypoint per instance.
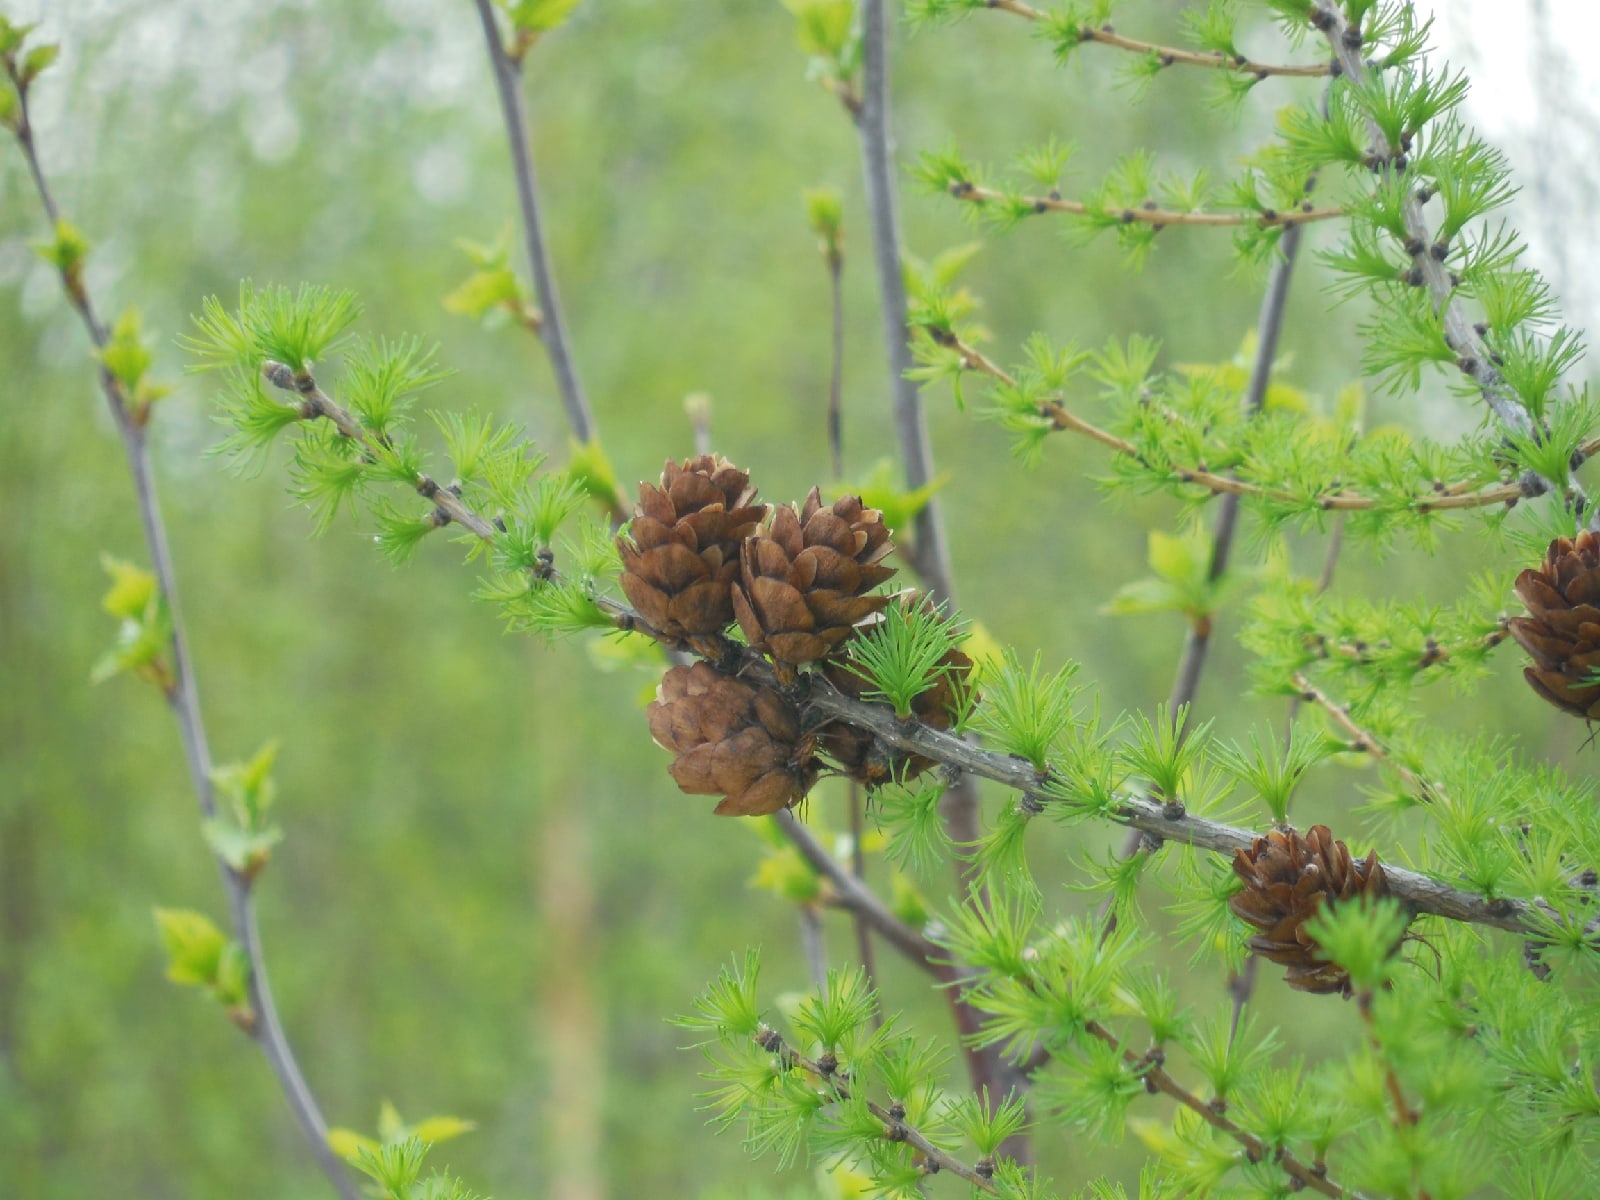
x,y
1562,630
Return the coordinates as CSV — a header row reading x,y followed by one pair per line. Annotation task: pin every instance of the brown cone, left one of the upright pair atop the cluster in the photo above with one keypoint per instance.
x,y
682,551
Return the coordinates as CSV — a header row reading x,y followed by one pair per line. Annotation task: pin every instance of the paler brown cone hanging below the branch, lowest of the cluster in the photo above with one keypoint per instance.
x,y
735,740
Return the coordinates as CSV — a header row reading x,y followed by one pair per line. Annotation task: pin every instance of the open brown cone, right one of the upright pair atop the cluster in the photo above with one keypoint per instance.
x,y
802,582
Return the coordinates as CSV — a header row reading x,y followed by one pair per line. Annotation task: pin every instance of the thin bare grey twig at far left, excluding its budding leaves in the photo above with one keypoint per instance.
x,y
183,697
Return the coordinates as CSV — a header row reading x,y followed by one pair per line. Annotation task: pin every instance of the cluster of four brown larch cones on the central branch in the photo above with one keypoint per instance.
x,y
703,554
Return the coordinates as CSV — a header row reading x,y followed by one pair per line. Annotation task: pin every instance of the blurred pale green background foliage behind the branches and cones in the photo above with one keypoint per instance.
x,y
489,894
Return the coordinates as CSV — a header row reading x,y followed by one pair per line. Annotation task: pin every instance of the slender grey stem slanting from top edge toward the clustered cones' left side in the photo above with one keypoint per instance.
x,y
553,330
